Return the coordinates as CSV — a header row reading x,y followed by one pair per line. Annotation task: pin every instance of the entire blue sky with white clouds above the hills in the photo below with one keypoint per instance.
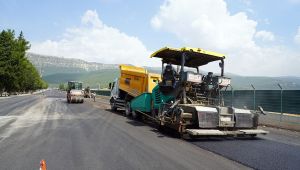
x,y
258,37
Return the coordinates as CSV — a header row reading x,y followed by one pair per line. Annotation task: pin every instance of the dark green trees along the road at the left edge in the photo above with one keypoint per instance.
x,y
17,73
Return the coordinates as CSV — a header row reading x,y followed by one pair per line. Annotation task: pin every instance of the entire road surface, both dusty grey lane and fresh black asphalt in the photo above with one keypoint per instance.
x,y
86,136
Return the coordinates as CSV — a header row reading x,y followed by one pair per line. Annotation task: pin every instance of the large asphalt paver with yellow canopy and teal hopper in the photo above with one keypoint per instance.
x,y
189,102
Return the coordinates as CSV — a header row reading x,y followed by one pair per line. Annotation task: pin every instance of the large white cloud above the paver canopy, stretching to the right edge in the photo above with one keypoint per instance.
x,y
208,24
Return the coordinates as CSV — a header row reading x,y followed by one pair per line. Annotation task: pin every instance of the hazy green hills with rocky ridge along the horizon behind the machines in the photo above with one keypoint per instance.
x,y
56,70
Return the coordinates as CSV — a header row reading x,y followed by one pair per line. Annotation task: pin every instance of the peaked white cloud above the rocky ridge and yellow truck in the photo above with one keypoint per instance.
x,y
97,42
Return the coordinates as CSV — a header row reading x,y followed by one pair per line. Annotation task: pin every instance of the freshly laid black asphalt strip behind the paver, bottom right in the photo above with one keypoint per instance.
x,y
257,153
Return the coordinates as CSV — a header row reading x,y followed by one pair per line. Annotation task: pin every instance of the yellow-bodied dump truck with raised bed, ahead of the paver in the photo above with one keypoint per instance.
x,y
133,81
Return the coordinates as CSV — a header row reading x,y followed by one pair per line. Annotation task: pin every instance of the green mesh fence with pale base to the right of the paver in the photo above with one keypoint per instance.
x,y
277,101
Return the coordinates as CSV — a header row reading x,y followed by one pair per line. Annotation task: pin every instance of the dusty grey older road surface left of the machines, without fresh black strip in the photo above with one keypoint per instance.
x,y
80,136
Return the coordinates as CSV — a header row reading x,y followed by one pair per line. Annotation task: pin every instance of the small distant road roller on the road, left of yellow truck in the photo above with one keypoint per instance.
x,y
74,92
